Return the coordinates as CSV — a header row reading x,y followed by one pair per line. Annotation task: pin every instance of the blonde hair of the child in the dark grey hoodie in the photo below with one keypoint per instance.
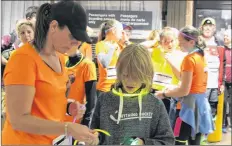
x,y
136,61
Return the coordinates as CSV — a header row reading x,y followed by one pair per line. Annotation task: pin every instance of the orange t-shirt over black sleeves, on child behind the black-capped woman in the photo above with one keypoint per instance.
x,y
83,71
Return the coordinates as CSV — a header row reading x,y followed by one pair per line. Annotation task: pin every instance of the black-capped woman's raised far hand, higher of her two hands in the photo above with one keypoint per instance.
x,y
77,110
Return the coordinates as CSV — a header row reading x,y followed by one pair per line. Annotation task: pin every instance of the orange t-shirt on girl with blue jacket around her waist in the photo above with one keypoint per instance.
x,y
196,63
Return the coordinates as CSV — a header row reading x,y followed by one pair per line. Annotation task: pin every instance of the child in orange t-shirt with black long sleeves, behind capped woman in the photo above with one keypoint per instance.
x,y
83,87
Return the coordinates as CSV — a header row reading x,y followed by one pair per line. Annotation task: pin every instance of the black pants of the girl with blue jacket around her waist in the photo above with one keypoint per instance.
x,y
185,135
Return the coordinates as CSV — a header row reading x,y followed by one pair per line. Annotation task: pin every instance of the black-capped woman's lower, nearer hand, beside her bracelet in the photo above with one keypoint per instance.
x,y
83,133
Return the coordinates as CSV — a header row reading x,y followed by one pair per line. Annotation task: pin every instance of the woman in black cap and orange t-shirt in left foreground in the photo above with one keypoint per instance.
x,y
35,80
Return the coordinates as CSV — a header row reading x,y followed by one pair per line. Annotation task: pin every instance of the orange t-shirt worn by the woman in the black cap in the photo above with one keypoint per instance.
x,y
25,67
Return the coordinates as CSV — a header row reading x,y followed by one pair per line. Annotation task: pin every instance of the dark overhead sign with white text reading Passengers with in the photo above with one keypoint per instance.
x,y
139,20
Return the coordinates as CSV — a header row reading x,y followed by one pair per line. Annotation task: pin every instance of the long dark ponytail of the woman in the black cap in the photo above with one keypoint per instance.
x,y
43,19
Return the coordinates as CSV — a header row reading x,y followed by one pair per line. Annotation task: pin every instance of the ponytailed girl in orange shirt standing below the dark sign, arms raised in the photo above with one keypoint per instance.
x,y
107,52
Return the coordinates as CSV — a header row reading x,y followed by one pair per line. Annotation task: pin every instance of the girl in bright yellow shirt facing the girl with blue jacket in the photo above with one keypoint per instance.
x,y
166,51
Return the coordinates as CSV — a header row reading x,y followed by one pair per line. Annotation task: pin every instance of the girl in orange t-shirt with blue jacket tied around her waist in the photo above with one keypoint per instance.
x,y
195,116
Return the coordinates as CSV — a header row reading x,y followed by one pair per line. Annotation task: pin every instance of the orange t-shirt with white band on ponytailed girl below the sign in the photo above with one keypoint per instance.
x,y
107,76
